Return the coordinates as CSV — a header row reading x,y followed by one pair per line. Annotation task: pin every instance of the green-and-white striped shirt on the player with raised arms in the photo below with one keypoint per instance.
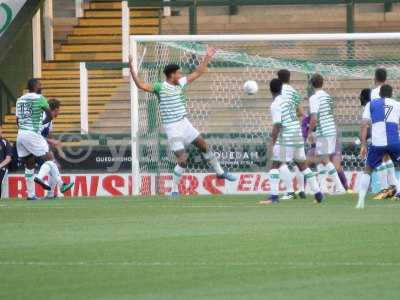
x,y
172,100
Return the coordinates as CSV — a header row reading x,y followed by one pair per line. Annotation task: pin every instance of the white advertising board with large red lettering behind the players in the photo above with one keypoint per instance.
x,y
117,184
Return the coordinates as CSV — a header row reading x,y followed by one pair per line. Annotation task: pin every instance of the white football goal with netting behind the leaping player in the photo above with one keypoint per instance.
x,y
238,126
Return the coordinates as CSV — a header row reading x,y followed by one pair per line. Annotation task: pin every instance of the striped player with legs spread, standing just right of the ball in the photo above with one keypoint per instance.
x,y
287,143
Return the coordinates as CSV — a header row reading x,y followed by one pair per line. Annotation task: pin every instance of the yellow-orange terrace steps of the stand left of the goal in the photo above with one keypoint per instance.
x,y
95,37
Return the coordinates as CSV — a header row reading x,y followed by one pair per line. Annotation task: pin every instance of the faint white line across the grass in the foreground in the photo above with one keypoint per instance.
x,y
198,264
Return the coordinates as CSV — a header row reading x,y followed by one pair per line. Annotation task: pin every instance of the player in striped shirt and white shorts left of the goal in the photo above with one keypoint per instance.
x,y
31,144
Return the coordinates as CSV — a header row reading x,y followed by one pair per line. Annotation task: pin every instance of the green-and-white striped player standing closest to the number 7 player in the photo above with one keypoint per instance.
x,y
322,121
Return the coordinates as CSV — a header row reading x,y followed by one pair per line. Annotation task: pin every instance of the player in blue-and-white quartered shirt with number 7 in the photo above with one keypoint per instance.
x,y
383,115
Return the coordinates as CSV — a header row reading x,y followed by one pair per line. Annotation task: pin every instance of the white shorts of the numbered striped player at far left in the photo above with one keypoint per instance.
x,y
29,142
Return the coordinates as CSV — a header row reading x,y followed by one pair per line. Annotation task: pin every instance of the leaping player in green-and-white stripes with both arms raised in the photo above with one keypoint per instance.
x,y
172,104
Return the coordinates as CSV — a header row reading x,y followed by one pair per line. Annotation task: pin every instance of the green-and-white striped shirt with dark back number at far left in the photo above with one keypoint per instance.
x,y
29,111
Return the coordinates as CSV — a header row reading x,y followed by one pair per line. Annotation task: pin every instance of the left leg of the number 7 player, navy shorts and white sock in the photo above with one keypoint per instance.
x,y
374,158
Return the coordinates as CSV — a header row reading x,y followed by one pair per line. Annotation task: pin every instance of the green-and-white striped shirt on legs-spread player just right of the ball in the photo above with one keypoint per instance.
x,y
284,112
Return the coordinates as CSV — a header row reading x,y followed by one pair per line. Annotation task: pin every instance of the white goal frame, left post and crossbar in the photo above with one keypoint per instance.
x,y
134,39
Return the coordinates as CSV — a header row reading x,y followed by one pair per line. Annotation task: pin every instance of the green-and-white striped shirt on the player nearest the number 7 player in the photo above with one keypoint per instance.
x,y
321,104
